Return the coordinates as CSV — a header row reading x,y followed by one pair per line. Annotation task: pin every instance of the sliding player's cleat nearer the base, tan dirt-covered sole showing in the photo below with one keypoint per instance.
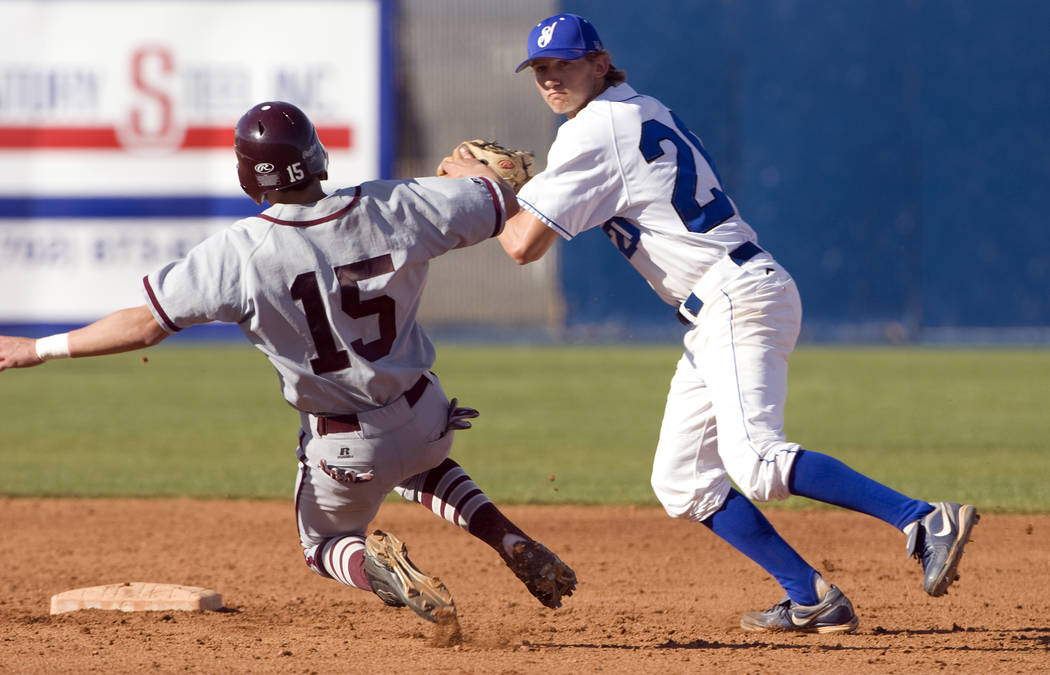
x,y
400,583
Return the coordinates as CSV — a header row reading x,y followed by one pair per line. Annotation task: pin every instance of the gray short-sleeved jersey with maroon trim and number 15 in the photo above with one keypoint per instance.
x,y
329,291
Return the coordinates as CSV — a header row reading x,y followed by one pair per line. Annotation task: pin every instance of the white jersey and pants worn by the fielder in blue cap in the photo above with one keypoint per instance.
x,y
628,164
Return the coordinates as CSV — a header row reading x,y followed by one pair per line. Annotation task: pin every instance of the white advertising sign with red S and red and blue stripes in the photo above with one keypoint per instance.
x,y
110,109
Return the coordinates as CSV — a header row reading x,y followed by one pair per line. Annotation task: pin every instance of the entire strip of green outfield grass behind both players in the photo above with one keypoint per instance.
x,y
960,425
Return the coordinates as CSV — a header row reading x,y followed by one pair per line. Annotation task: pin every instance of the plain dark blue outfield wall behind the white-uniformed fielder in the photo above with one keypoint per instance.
x,y
895,156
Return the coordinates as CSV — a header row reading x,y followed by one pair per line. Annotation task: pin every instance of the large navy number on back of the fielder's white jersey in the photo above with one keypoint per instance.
x,y
696,217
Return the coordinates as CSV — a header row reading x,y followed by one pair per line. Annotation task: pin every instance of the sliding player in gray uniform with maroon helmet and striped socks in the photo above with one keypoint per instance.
x,y
328,287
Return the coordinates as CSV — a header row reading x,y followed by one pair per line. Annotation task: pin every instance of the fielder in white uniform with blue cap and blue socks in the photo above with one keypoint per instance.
x,y
625,163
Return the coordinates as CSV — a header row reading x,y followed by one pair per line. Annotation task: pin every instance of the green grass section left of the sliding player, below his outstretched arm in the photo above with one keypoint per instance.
x,y
201,423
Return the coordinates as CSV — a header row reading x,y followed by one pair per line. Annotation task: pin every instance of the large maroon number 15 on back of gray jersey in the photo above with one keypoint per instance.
x,y
306,290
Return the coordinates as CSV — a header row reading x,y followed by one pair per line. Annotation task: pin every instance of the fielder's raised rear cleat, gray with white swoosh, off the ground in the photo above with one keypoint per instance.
x,y
938,540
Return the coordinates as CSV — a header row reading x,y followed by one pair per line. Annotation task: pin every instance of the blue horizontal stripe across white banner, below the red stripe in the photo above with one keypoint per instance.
x,y
129,207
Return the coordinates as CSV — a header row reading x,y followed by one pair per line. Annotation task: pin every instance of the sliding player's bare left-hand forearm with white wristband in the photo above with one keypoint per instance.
x,y
122,331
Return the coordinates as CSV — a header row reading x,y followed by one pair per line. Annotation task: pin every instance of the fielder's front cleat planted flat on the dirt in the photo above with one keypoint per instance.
x,y
833,615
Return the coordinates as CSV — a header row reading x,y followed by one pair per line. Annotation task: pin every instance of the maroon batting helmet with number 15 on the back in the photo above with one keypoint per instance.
x,y
278,149
